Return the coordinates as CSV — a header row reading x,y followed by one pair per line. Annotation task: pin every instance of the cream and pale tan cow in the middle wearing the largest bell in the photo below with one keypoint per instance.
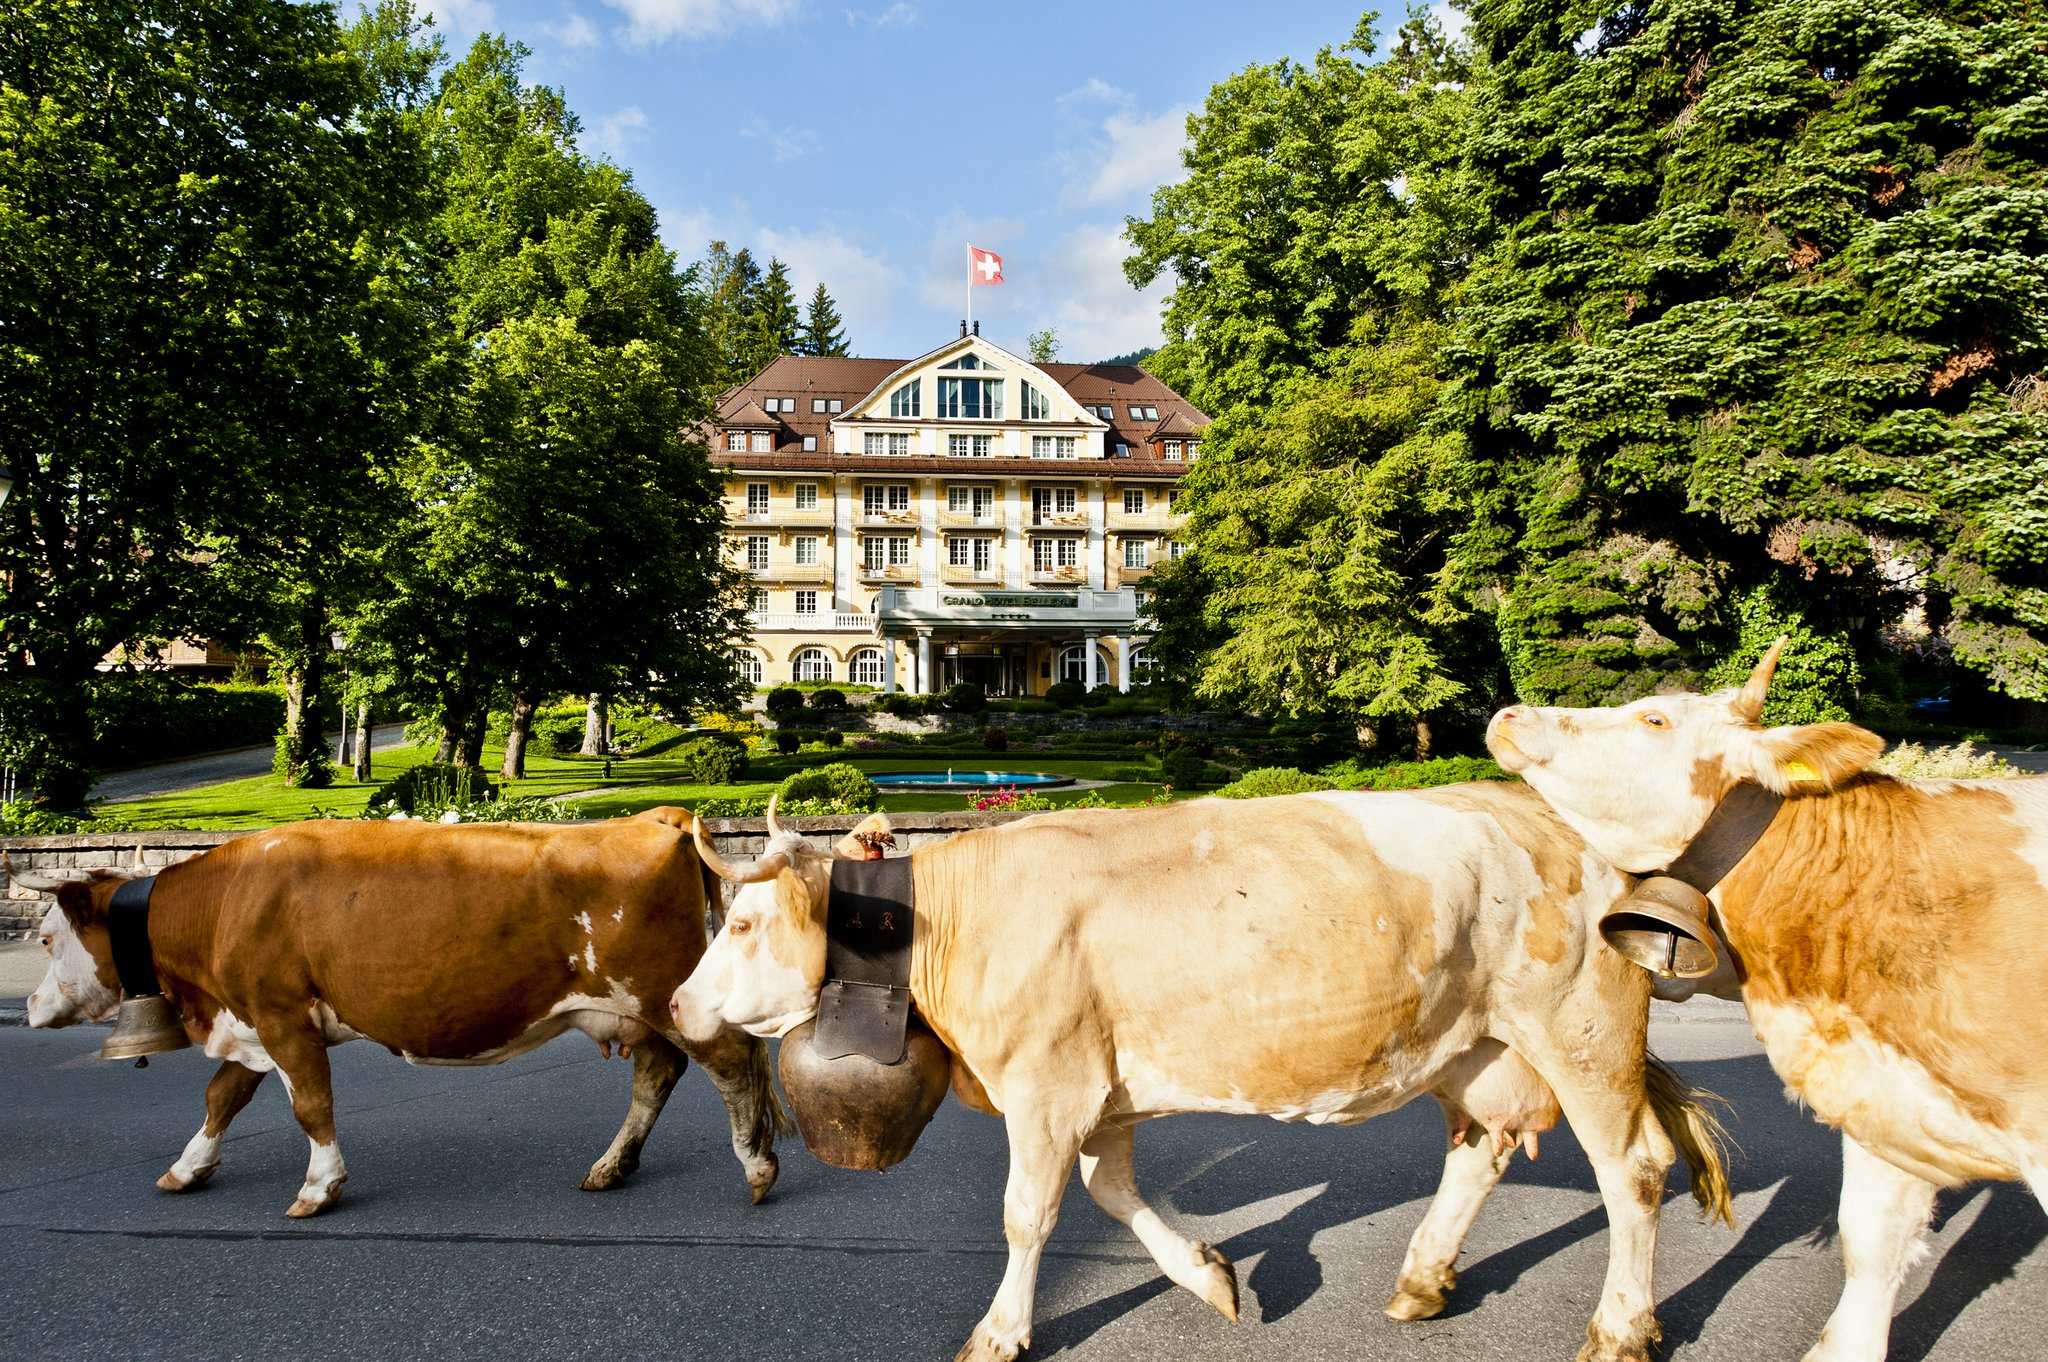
x,y
1312,957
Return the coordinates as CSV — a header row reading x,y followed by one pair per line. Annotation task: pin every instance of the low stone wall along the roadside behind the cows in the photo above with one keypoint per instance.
x,y
75,857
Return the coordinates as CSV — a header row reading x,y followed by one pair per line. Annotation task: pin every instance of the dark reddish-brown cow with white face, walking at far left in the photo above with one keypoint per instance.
x,y
460,945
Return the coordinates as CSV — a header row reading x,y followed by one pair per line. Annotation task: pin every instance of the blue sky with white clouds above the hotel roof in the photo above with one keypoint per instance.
x,y
869,142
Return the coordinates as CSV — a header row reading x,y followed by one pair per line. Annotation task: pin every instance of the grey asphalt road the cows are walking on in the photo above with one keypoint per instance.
x,y
462,1232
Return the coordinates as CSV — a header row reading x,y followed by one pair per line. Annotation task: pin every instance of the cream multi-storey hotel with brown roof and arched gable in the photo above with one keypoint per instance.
x,y
962,517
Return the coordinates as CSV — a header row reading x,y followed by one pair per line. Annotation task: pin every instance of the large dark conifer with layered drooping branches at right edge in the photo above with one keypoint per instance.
x,y
1766,321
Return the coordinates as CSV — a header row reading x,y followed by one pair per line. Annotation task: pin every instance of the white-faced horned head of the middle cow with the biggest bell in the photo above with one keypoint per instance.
x,y
767,964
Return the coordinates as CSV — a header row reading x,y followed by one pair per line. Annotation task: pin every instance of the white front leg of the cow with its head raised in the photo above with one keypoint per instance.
x,y
1883,1216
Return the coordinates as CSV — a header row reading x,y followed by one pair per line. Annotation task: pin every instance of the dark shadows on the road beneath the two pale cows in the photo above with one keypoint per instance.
x,y
1340,1179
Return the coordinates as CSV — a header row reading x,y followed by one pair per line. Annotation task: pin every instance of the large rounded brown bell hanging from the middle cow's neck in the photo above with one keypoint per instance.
x,y
861,1113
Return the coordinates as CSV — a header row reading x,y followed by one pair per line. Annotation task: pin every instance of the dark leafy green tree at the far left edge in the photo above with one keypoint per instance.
x,y
191,249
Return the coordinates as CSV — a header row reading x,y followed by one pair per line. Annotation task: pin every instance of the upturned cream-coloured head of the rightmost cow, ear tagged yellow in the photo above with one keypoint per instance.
x,y
1637,781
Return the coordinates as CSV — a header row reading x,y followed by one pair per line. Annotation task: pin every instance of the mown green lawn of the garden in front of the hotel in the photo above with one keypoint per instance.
x,y
634,785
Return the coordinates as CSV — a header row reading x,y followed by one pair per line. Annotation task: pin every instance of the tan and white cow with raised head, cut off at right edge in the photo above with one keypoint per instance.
x,y
1885,939
